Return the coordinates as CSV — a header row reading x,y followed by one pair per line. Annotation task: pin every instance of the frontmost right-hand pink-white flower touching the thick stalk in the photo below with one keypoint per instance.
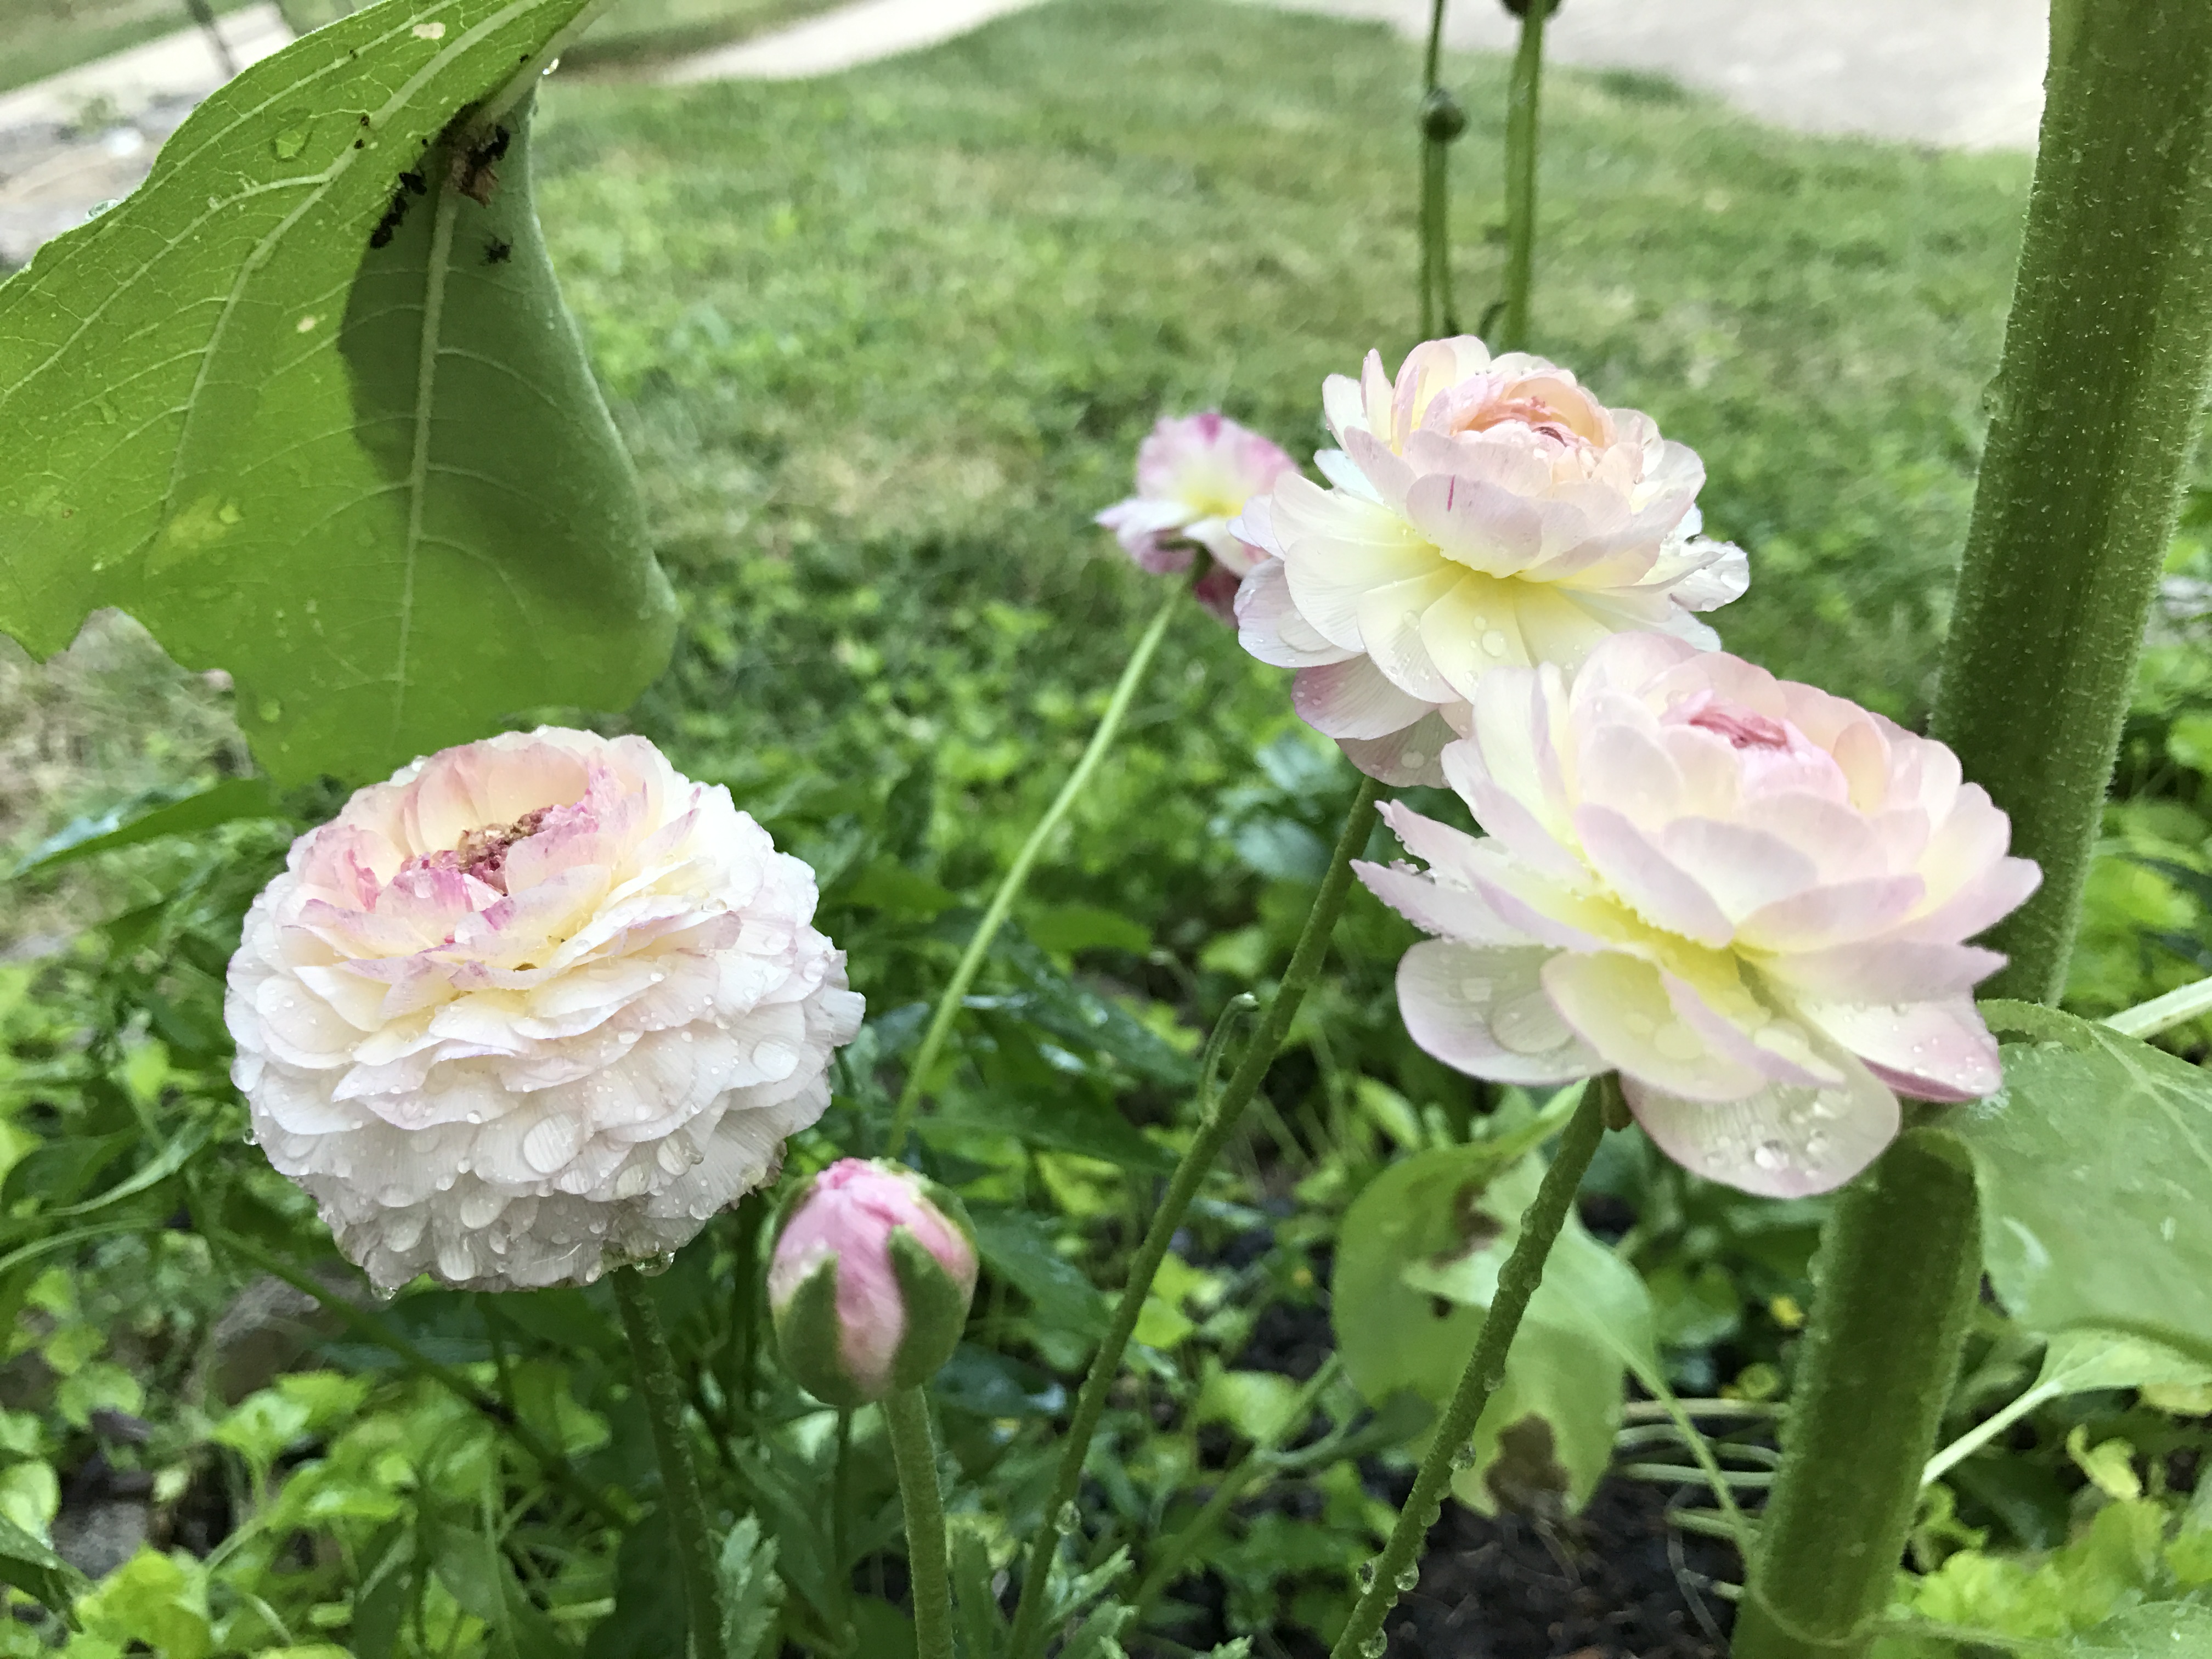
x,y
1746,897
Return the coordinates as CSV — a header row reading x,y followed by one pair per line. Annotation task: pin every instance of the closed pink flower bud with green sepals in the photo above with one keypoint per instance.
x,y
870,1282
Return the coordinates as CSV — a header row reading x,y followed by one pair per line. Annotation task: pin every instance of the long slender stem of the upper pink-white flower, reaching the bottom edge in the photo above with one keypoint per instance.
x,y
1182,1189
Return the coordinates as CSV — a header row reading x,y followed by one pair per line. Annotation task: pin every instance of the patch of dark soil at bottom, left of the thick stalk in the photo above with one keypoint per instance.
x,y
1603,1585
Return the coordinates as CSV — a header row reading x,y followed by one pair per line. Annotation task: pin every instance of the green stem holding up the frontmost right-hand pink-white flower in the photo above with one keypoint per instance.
x,y
1485,1370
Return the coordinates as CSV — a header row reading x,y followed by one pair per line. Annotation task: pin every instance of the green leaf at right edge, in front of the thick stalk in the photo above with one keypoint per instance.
x,y
2096,1173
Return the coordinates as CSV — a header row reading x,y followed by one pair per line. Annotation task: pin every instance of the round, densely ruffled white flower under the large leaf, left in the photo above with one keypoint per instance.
x,y
530,1010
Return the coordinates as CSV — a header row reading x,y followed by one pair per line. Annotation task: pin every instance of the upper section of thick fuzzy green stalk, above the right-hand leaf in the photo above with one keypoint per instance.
x,y
2096,413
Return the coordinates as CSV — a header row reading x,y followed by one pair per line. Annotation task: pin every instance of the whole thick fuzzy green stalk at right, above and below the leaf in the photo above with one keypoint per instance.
x,y
2096,413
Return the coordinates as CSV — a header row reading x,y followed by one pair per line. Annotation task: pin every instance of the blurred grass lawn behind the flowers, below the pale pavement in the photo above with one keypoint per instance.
x,y
886,342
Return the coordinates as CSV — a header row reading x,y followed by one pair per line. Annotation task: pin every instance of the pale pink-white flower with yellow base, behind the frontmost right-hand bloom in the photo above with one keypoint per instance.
x,y
1481,514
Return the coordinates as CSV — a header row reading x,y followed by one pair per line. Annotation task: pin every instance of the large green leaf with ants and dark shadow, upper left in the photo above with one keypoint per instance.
x,y
309,406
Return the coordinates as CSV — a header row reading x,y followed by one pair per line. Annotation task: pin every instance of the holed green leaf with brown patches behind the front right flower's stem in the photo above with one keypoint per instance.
x,y
1417,1269
